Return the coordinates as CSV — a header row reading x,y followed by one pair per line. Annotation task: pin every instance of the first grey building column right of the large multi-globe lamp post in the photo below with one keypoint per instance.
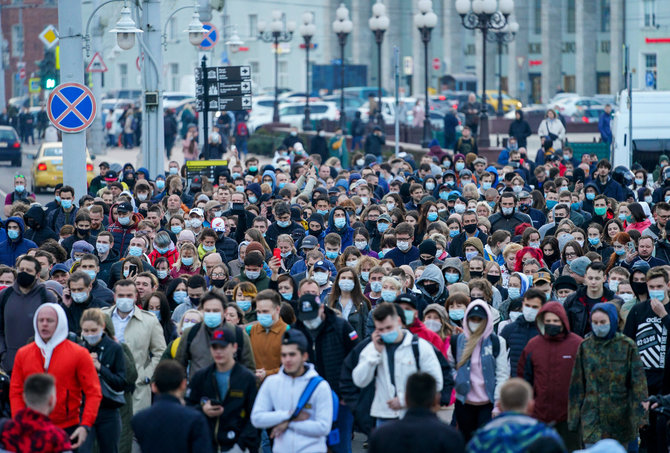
x,y
517,58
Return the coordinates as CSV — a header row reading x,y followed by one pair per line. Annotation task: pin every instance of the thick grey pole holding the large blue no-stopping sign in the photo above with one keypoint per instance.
x,y
72,70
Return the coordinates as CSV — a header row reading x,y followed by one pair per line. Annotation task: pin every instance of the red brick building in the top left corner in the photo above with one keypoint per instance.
x,y
22,22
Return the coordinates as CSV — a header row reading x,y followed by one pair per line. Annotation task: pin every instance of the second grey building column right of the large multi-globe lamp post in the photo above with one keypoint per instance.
x,y
551,48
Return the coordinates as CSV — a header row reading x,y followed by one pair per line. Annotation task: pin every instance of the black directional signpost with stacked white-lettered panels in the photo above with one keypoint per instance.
x,y
221,88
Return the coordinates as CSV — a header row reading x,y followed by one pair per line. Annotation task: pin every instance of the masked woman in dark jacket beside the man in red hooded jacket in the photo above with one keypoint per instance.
x,y
109,361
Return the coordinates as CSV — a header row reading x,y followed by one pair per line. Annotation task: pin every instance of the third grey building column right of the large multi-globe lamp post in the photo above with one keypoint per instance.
x,y
587,24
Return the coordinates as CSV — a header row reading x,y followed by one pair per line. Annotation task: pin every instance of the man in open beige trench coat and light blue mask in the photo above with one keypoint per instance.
x,y
142,333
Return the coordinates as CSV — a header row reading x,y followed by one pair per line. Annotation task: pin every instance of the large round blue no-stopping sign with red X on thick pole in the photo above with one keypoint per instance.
x,y
71,107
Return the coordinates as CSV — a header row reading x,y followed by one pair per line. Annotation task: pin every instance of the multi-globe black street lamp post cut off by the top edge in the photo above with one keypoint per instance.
x,y
484,15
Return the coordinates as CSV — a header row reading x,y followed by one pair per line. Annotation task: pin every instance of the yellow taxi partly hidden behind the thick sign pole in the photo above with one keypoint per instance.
x,y
47,168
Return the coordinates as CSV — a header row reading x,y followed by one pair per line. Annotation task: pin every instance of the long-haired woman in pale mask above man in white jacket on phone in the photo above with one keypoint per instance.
x,y
347,298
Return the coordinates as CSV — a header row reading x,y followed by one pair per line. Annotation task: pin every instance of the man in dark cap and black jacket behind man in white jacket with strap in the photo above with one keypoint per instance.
x,y
330,338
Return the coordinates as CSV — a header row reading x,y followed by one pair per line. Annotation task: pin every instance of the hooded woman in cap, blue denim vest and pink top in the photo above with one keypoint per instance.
x,y
481,365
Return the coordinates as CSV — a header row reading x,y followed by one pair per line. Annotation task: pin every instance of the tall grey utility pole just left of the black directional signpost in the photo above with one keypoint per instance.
x,y
153,145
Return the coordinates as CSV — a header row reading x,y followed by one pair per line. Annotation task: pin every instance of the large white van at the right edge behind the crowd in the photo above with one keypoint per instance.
x,y
651,129
